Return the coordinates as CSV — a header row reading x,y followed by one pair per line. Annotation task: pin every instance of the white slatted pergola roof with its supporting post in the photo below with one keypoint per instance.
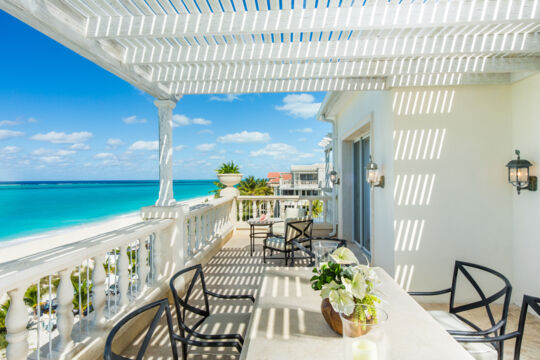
x,y
170,48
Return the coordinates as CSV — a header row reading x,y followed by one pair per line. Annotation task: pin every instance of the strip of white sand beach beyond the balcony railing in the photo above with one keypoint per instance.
x,y
27,245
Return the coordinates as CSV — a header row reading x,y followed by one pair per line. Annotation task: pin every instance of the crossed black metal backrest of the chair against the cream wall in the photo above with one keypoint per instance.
x,y
486,301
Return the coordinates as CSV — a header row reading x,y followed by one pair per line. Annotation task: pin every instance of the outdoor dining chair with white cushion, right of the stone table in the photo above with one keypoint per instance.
x,y
481,344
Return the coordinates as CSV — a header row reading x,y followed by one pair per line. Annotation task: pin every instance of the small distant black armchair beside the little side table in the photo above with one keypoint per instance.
x,y
298,236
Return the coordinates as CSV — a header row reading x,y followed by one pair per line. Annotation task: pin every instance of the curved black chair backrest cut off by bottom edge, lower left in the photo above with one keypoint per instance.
x,y
162,308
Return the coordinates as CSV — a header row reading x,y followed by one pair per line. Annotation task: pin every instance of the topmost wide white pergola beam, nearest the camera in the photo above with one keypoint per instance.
x,y
374,16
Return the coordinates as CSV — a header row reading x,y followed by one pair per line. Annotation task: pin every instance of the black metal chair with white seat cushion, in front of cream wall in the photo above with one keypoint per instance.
x,y
463,333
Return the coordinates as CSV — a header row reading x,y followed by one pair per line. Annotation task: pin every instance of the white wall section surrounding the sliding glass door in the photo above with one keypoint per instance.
x,y
357,112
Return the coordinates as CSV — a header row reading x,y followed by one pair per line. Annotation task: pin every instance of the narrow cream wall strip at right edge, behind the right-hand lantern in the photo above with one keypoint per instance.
x,y
526,220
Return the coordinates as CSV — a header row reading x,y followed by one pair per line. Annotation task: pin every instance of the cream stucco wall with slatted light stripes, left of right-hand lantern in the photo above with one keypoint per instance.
x,y
464,213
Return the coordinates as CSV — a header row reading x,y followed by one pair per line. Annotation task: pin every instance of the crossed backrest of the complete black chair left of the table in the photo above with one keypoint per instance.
x,y
184,305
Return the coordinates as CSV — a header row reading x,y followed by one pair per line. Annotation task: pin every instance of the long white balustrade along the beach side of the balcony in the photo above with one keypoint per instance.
x,y
64,301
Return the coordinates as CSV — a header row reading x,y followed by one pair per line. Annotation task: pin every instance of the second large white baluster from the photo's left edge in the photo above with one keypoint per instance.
x,y
64,312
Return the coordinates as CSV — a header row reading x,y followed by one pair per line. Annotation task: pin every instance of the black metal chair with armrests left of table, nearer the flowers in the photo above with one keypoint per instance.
x,y
189,336
